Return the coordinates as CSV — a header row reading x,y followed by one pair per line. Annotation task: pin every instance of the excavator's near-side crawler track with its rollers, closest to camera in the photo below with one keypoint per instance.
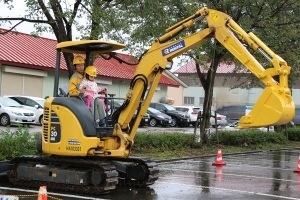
x,y
104,180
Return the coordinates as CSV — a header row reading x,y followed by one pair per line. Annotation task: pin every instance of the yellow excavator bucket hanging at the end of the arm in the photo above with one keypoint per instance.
x,y
274,107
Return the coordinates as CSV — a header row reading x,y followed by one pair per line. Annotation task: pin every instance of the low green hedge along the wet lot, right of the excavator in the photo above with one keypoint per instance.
x,y
243,138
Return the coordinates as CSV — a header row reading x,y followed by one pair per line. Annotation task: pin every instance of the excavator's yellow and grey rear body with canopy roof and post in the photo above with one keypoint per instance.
x,y
68,118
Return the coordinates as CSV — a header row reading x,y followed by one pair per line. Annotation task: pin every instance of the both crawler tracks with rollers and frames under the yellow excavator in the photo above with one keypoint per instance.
x,y
132,171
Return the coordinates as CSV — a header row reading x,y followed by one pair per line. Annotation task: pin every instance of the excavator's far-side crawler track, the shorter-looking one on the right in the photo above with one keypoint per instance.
x,y
145,167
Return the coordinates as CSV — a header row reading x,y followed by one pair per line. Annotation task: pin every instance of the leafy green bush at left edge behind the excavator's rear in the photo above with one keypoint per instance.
x,y
19,142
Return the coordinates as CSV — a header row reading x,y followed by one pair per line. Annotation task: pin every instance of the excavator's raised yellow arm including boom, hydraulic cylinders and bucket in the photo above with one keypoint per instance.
x,y
274,107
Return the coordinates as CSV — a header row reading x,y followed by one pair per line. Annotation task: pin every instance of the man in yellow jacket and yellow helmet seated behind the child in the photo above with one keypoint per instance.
x,y
74,90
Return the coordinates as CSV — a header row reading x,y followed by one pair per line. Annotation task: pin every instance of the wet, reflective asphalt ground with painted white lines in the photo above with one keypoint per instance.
x,y
251,175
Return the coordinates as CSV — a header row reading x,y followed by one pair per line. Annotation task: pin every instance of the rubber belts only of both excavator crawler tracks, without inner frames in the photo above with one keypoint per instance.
x,y
105,165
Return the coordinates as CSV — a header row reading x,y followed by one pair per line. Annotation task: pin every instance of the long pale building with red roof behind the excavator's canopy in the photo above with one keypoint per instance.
x,y
28,63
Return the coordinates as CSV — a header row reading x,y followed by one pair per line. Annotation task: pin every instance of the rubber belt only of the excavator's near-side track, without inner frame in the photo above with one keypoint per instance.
x,y
109,172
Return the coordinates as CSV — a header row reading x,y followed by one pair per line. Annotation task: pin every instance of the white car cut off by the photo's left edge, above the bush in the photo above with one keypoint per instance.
x,y
11,112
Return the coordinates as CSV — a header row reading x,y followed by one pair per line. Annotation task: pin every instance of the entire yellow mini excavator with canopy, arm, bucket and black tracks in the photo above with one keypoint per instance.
x,y
81,157
